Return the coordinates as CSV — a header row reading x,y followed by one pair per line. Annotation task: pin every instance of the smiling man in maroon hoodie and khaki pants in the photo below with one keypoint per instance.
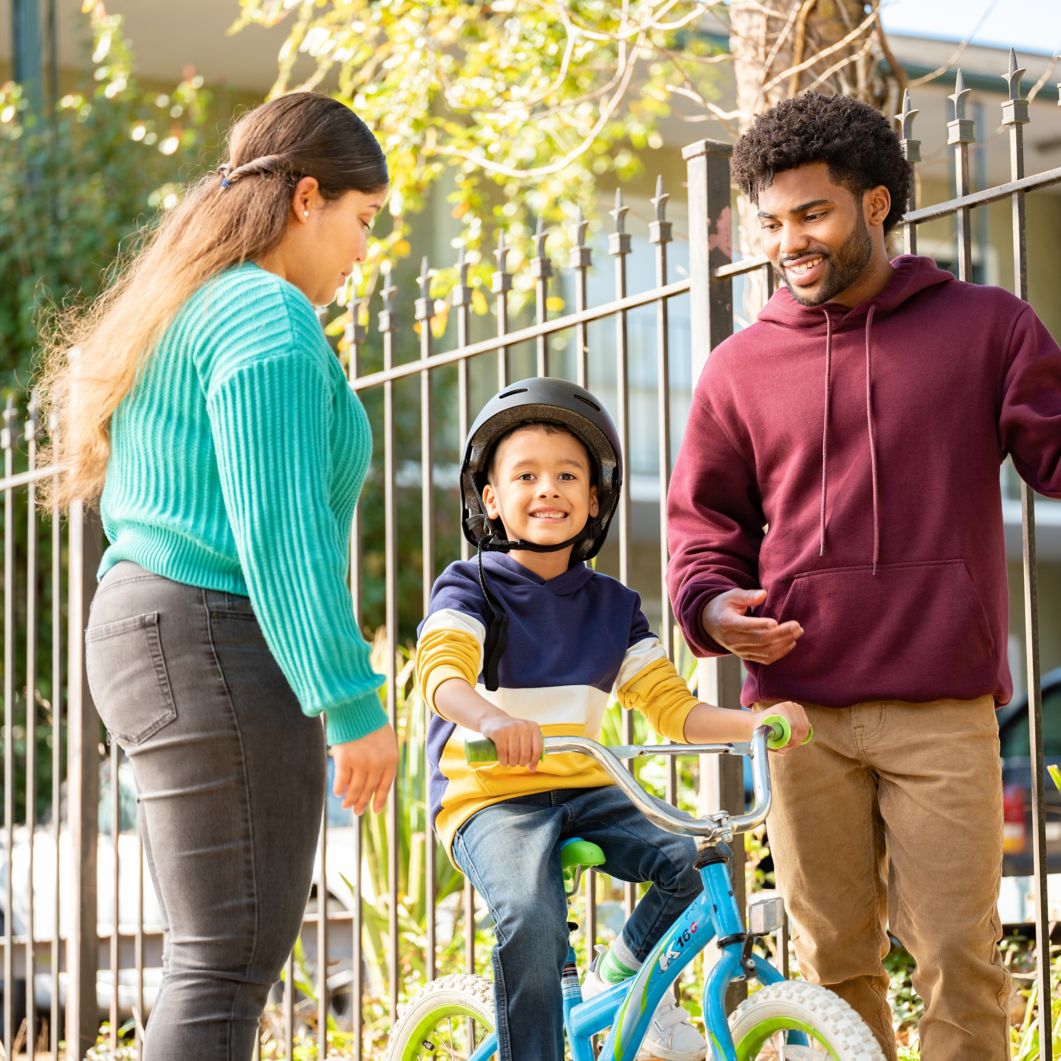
x,y
836,521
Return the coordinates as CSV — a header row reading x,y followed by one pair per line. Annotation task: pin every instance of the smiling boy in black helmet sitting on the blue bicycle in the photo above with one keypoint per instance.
x,y
529,640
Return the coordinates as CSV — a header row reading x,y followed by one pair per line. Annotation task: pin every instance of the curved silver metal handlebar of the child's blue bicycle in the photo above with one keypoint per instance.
x,y
611,759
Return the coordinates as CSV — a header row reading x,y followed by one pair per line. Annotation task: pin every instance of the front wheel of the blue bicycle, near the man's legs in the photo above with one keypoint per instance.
x,y
796,1021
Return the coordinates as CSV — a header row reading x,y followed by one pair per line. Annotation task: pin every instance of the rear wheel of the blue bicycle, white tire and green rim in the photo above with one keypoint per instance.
x,y
448,1021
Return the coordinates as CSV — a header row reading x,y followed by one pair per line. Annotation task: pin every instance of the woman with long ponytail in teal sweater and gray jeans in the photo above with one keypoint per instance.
x,y
199,403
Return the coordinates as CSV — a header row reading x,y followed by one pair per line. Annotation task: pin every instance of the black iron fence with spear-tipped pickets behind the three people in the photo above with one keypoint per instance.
x,y
81,933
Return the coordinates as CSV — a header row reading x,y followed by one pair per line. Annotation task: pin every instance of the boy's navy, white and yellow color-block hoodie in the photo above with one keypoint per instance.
x,y
573,641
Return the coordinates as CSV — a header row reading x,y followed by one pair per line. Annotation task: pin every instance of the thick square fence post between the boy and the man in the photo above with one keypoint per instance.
x,y
711,312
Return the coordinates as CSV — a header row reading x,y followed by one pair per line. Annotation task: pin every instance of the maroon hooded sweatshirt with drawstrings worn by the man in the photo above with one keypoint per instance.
x,y
847,461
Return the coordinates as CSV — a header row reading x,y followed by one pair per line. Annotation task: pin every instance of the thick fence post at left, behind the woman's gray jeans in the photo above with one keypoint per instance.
x,y
83,791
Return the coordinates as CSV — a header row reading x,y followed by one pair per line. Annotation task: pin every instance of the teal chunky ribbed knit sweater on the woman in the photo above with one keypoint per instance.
x,y
236,464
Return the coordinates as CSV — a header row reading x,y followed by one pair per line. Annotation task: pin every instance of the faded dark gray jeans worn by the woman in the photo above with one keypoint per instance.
x,y
231,776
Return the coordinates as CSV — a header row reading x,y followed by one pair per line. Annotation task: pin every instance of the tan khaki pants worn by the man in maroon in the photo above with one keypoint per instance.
x,y
892,819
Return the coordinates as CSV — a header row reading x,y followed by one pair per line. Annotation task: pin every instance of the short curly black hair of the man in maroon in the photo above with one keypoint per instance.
x,y
854,140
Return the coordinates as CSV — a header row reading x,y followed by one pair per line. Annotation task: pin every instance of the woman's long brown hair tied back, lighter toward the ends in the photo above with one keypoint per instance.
x,y
240,214
